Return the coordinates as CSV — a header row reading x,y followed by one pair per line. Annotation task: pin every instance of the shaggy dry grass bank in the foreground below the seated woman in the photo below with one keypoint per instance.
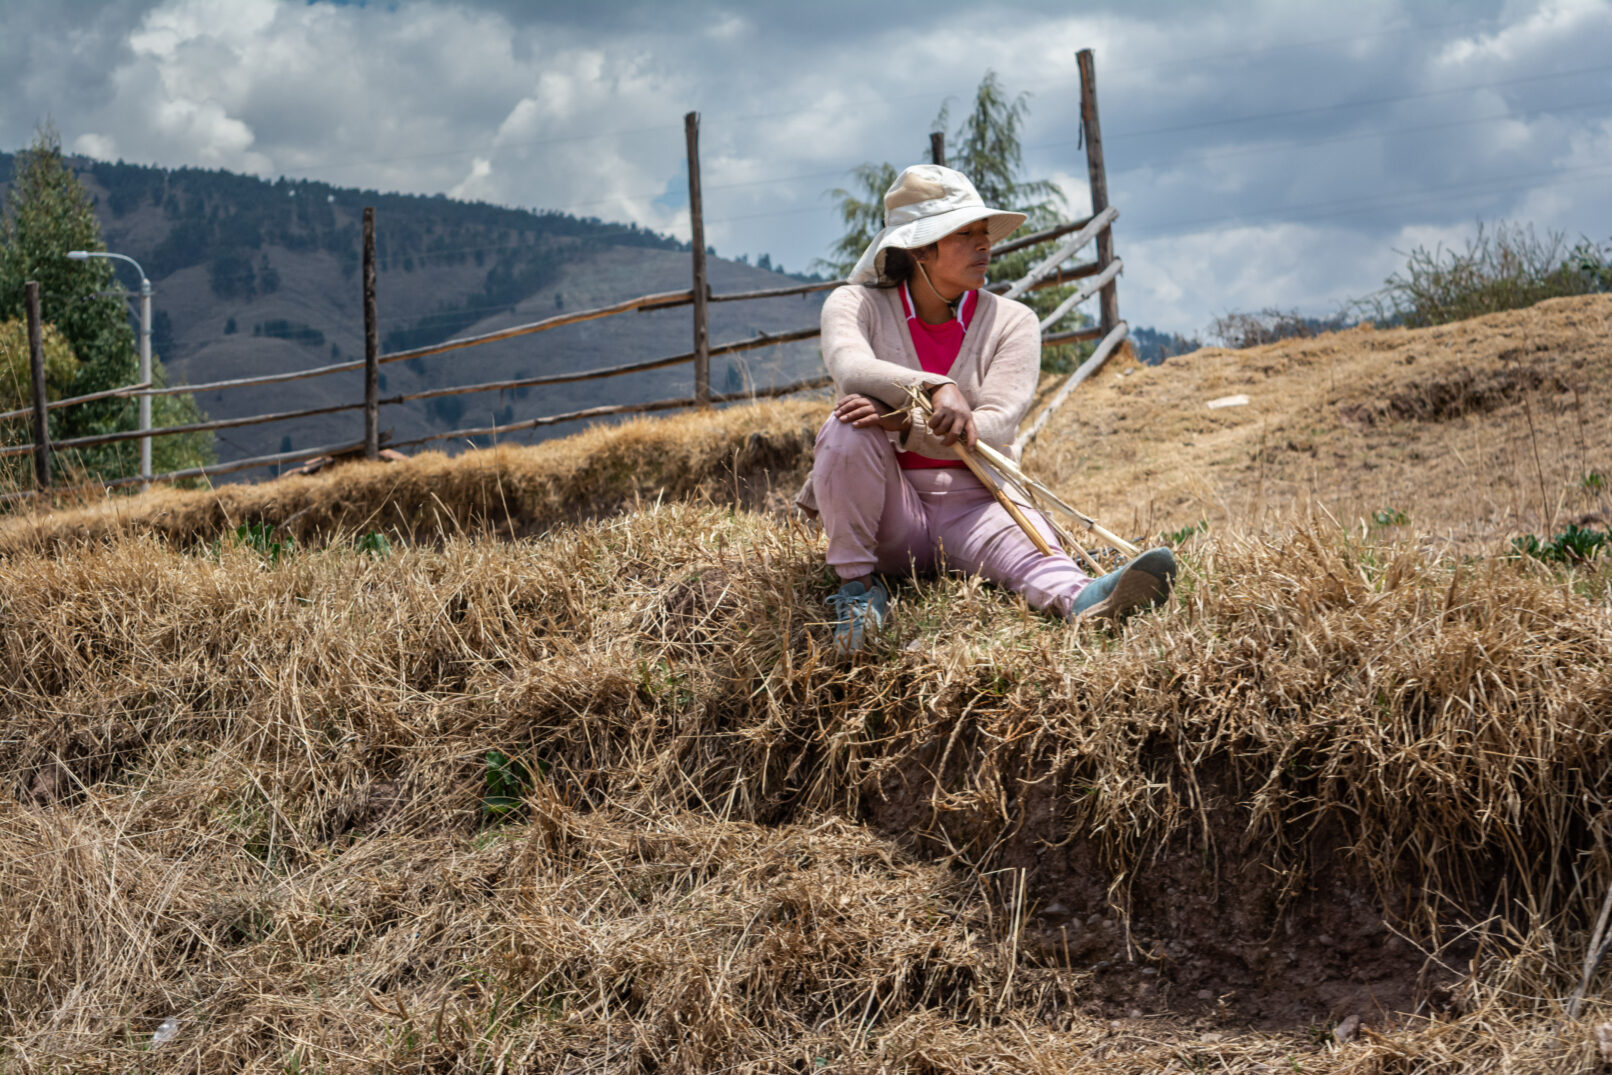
x,y
247,795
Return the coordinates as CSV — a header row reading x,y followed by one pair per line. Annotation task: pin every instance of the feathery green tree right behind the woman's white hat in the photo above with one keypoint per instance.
x,y
986,147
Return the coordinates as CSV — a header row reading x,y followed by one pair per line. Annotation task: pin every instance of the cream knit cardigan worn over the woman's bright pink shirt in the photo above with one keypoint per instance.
x,y
868,349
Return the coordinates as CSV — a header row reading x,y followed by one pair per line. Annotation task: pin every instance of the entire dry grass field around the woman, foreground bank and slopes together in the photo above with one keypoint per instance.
x,y
1352,771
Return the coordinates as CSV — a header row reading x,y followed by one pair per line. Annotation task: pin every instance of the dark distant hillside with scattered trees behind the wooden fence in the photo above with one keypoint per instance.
x,y
254,276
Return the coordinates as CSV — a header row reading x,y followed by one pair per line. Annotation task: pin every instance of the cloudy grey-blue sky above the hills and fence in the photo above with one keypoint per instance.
x,y
1261,152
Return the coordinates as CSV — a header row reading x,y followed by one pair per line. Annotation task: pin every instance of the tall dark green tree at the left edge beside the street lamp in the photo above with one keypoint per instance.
x,y
48,214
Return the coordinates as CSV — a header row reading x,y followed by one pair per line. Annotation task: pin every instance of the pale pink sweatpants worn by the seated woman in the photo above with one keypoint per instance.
x,y
883,518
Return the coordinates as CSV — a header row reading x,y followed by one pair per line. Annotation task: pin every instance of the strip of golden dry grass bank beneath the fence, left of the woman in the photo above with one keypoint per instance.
x,y
750,455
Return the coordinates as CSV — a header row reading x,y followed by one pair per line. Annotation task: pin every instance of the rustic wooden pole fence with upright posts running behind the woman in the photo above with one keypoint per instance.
x,y
1050,272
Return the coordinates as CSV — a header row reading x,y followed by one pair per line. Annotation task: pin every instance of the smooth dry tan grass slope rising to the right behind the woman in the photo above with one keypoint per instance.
x,y
1476,430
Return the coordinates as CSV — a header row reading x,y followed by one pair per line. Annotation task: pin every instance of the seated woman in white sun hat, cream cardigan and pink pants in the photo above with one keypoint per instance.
x,y
892,494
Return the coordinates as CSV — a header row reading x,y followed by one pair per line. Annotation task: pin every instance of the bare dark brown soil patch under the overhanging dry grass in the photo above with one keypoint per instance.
x,y
1211,929
